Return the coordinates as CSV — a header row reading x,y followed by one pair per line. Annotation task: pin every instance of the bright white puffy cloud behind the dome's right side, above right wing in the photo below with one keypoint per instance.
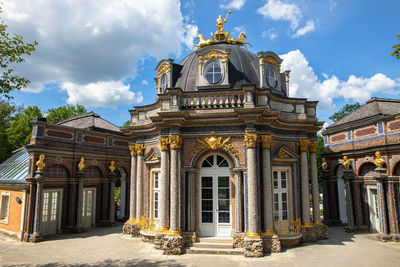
x,y
305,83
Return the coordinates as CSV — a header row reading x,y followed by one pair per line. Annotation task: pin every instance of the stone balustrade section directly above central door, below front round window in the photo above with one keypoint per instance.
x,y
212,102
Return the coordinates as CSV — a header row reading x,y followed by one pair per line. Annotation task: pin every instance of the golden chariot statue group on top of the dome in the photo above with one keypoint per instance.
x,y
221,36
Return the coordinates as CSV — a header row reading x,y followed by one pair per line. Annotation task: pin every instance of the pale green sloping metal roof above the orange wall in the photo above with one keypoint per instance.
x,y
15,168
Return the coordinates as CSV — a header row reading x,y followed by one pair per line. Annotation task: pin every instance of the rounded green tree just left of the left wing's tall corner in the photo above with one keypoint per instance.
x,y
20,130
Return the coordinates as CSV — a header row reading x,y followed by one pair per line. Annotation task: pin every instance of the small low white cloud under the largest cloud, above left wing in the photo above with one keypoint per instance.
x,y
103,94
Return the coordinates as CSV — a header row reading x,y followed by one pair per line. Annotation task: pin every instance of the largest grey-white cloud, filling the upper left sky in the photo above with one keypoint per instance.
x,y
95,42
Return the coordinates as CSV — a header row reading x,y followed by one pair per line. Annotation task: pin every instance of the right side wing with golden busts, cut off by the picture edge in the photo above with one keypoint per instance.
x,y
361,179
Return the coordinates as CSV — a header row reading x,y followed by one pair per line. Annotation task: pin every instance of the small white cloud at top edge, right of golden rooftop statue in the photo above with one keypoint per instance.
x,y
276,10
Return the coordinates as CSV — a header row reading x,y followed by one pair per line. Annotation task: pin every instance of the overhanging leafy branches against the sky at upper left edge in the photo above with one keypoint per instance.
x,y
12,50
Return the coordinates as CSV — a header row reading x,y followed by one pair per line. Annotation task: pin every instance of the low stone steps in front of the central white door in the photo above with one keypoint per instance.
x,y
222,246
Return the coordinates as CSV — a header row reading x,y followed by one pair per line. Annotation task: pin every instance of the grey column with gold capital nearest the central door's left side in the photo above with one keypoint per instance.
x,y
175,143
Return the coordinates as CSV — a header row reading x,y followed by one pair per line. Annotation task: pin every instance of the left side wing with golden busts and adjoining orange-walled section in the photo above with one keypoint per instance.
x,y
63,181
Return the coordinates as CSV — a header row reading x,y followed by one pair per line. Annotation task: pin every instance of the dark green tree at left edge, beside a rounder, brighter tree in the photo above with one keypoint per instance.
x,y
6,112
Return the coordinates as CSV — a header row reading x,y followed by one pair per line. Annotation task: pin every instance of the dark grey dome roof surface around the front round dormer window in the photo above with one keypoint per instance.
x,y
242,68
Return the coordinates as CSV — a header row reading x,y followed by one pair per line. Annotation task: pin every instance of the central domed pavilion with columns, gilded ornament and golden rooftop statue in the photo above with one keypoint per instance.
x,y
224,152
